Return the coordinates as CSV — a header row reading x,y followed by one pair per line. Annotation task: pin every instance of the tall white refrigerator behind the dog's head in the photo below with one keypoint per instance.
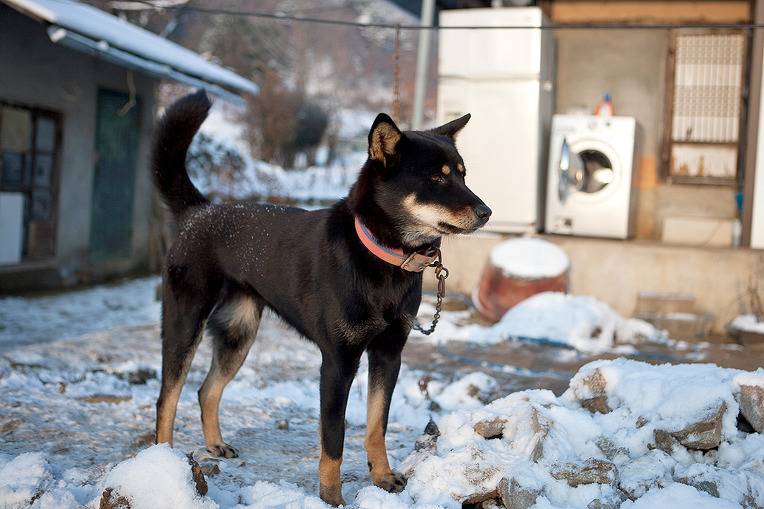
x,y
504,79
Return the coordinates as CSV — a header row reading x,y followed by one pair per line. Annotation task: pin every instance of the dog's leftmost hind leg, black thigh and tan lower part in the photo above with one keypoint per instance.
x,y
184,310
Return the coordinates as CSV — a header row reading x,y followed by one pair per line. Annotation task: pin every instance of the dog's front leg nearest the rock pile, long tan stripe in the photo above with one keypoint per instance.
x,y
384,364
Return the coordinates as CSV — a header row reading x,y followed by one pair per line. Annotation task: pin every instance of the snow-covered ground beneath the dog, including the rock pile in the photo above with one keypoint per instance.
x,y
77,415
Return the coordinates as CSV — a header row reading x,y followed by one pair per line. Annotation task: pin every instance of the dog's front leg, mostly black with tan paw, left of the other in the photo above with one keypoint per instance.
x,y
337,372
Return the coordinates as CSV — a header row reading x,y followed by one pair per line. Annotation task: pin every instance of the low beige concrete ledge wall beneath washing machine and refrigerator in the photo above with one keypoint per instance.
x,y
616,271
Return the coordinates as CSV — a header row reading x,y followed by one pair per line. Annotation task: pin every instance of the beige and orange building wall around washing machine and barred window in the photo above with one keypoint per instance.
x,y
631,66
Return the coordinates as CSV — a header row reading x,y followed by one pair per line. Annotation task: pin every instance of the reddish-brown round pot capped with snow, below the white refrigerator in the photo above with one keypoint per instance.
x,y
517,269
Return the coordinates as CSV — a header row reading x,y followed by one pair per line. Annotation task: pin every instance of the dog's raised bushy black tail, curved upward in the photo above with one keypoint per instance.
x,y
172,137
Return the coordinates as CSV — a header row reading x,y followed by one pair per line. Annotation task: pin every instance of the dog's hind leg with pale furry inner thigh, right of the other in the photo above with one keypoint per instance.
x,y
233,326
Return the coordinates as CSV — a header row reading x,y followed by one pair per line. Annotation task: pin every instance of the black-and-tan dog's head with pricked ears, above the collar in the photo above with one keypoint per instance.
x,y
419,181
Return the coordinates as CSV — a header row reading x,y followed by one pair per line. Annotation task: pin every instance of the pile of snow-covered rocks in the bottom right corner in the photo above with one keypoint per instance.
x,y
533,447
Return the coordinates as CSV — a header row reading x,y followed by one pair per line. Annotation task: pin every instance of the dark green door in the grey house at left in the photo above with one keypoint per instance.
x,y
116,144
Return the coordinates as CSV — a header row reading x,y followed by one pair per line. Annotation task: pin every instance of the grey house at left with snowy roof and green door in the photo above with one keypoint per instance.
x,y
77,106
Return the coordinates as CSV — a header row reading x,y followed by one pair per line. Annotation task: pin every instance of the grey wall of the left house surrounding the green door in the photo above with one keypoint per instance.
x,y
36,72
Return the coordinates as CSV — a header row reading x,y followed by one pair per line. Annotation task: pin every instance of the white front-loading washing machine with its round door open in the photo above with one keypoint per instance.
x,y
591,177
